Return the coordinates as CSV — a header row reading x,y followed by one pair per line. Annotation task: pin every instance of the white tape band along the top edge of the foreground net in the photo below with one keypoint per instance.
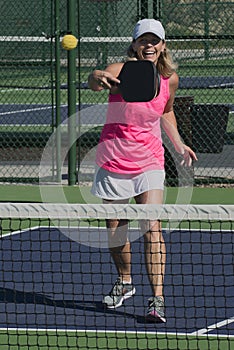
x,y
117,211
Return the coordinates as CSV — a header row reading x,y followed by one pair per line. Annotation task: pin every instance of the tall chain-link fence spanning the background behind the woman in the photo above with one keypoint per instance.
x,y
35,87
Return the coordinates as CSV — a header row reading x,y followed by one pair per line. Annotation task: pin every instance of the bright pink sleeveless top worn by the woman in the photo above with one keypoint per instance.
x,y
131,141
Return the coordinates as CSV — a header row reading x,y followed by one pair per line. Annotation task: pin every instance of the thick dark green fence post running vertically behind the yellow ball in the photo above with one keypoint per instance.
x,y
71,56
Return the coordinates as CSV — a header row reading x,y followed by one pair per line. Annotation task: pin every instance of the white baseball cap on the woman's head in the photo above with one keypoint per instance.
x,y
149,26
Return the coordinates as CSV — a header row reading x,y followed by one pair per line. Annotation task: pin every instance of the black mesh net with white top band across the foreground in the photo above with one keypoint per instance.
x,y
56,268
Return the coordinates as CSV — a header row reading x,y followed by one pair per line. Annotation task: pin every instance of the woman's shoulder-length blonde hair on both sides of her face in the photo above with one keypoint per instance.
x,y
165,65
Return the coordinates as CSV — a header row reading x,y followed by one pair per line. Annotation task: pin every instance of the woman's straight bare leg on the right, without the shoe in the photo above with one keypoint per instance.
x,y
155,251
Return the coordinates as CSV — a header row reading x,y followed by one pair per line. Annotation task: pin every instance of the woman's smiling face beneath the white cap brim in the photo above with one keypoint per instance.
x,y
148,47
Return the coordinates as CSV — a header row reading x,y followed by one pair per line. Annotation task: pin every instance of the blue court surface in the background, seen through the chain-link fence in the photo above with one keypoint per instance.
x,y
42,114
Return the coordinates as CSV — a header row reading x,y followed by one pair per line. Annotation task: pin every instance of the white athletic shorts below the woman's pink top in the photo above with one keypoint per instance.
x,y
113,186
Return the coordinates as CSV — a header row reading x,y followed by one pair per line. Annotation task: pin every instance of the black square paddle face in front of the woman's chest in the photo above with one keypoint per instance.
x,y
139,81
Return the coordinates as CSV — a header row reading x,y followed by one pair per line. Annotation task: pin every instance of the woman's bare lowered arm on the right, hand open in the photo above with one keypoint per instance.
x,y
169,124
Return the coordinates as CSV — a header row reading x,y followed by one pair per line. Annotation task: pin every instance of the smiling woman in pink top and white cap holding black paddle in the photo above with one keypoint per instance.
x,y
130,159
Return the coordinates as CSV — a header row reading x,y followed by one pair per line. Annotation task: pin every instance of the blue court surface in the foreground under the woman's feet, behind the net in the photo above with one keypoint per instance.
x,y
49,281
